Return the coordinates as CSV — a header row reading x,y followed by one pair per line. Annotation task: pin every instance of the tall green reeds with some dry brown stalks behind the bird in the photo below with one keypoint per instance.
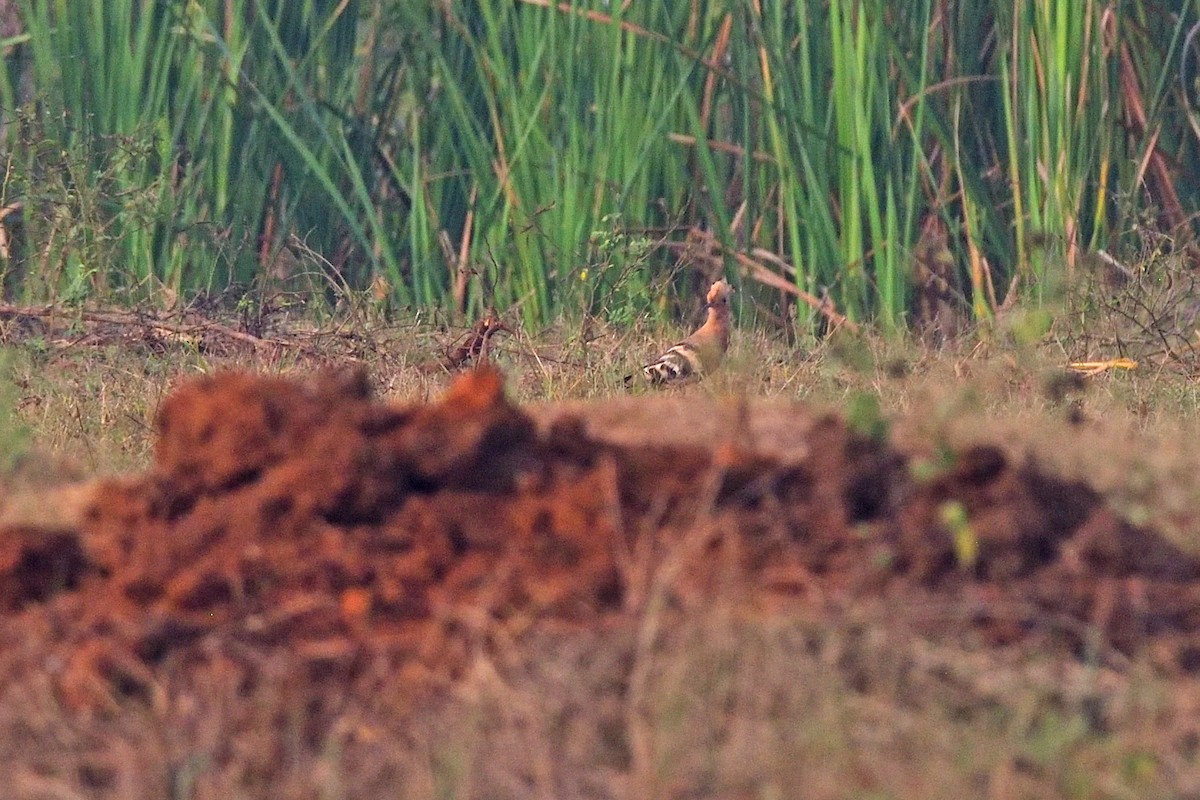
x,y
471,155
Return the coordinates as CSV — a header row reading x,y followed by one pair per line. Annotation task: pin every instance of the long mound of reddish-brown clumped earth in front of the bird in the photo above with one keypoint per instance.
x,y
311,519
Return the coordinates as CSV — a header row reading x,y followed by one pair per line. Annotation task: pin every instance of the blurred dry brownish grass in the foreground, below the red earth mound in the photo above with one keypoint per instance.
x,y
731,708
